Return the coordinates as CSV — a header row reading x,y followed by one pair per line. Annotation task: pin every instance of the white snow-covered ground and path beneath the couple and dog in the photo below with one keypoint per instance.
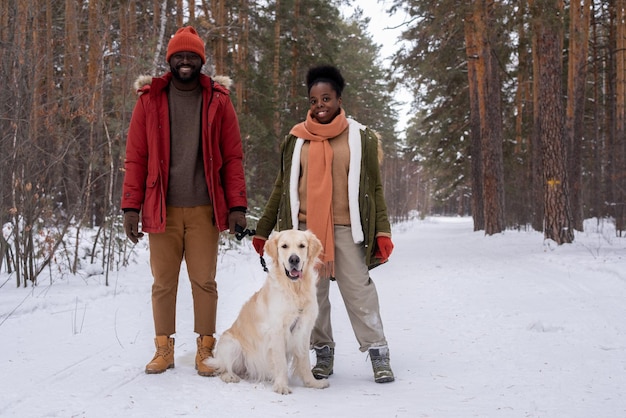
x,y
478,326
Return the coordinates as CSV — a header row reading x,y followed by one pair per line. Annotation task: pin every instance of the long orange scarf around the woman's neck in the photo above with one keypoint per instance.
x,y
319,188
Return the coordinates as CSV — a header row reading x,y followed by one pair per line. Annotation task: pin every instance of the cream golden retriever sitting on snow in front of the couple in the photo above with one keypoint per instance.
x,y
271,335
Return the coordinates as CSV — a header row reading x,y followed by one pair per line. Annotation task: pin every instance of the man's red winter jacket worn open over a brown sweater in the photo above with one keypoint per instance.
x,y
148,154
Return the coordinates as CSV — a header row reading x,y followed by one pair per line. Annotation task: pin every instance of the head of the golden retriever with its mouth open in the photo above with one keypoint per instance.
x,y
293,251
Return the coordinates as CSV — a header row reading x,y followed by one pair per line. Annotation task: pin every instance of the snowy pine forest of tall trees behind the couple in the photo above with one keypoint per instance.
x,y
518,112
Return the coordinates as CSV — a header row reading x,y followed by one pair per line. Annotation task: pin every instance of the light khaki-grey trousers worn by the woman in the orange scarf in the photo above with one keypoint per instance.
x,y
358,292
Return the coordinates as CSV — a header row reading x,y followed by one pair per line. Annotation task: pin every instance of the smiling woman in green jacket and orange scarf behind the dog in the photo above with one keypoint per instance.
x,y
335,190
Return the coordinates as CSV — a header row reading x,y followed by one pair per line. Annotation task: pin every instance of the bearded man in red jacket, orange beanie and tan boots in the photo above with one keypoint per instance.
x,y
184,175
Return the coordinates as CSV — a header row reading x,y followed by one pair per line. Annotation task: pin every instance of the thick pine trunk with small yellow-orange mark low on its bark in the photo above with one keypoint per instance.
x,y
548,30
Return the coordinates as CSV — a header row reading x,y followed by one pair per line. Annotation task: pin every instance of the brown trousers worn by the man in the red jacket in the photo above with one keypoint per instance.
x,y
189,234
